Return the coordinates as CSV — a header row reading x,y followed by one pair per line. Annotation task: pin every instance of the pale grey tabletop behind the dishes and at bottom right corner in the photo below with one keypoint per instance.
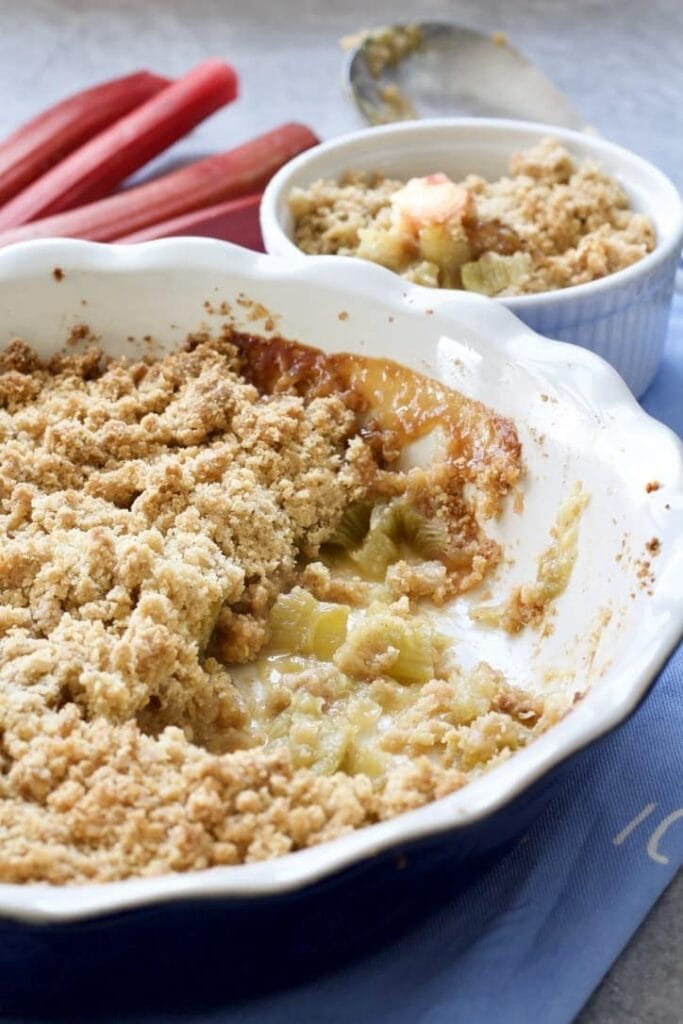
x,y
620,63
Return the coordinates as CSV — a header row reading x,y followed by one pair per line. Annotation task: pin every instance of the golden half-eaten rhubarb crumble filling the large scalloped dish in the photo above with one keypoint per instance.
x,y
218,578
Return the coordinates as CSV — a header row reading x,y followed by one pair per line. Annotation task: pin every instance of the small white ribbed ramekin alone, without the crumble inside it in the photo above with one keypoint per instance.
x,y
623,318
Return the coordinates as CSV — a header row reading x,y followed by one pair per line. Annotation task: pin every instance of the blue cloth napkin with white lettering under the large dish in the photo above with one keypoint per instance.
x,y
526,936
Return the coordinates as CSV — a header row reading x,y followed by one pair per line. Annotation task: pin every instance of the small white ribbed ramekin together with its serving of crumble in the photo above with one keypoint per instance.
x,y
580,238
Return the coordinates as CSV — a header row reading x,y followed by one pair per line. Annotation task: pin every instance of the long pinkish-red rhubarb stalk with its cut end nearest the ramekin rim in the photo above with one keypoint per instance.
x,y
227,176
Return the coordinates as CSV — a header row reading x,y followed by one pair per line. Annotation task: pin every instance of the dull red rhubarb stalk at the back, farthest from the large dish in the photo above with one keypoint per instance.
x,y
44,142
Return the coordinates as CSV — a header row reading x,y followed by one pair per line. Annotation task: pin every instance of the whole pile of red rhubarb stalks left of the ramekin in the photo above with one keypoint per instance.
x,y
60,173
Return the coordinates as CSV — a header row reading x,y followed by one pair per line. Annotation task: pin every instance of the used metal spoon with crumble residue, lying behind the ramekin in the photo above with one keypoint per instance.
x,y
450,70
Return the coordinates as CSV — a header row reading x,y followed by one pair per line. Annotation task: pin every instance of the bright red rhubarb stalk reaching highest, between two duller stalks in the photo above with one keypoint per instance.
x,y
111,157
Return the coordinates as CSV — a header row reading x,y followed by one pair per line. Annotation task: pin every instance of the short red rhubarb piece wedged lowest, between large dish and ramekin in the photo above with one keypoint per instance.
x,y
236,221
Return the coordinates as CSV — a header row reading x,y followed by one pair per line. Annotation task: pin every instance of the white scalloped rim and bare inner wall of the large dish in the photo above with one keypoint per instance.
x,y
592,430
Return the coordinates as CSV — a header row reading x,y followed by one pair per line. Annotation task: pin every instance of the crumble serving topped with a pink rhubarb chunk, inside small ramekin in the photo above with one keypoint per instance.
x,y
550,224
